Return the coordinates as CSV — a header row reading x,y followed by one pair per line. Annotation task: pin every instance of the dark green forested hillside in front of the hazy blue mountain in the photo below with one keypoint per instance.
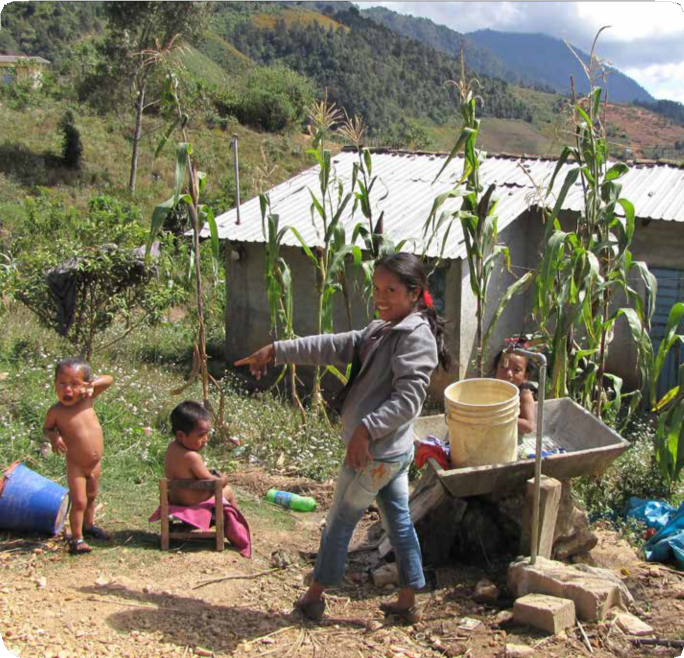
x,y
368,69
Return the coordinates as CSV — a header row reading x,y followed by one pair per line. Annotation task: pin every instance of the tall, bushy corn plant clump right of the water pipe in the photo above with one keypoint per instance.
x,y
584,273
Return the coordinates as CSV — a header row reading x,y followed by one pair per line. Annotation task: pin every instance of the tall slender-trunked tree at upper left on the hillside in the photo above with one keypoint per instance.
x,y
137,28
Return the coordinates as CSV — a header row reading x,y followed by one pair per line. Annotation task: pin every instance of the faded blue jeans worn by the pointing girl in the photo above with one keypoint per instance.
x,y
354,492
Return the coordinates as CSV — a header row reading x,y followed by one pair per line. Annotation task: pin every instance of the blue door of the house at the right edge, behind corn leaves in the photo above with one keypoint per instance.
x,y
670,291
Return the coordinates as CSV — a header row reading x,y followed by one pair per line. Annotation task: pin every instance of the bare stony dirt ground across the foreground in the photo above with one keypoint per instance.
x,y
193,601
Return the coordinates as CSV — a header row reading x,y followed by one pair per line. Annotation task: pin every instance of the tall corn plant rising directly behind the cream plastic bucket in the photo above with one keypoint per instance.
x,y
477,214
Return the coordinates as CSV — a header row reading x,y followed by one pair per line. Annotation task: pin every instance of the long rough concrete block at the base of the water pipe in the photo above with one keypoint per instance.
x,y
592,594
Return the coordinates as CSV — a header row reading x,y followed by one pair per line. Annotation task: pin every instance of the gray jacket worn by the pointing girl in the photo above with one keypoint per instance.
x,y
390,389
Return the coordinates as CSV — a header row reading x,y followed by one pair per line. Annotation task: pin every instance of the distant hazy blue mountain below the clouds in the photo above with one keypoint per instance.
x,y
521,52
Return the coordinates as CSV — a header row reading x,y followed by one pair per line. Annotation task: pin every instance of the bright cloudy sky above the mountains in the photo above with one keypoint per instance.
x,y
645,40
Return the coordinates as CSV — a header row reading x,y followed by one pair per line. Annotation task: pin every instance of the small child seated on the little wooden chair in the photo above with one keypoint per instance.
x,y
191,425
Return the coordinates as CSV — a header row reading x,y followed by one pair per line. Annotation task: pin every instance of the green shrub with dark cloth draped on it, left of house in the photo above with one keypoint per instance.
x,y
83,273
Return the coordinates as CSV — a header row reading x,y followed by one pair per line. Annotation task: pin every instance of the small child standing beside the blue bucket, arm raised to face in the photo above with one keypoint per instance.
x,y
72,428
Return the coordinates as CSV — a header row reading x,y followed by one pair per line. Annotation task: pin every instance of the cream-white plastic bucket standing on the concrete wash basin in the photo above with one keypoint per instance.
x,y
482,415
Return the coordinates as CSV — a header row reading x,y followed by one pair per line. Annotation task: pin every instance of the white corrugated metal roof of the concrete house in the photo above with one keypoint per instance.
x,y
405,192
